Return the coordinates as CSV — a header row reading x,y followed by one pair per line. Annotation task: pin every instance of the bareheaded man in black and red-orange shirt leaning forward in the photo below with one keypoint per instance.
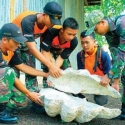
x,y
58,44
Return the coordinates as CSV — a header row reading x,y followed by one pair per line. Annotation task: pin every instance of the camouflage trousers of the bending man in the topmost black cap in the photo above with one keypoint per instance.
x,y
30,81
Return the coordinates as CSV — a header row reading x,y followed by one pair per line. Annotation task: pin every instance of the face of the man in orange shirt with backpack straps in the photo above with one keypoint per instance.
x,y
88,43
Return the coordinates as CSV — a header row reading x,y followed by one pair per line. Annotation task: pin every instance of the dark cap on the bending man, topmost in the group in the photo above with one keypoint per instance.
x,y
54,10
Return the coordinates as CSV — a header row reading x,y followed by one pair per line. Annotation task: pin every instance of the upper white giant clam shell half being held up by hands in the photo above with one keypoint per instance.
x,y
81,81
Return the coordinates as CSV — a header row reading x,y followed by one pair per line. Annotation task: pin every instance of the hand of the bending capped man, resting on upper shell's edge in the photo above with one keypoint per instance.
x,y
55,71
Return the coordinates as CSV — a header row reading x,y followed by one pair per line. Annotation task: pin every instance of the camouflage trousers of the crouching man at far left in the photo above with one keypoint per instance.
x,y
8,93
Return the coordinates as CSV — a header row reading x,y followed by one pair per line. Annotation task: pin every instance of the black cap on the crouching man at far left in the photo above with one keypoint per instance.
x,y
12,31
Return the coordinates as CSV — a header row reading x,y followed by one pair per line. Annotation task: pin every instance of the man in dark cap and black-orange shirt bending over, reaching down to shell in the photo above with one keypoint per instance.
x,y
33,25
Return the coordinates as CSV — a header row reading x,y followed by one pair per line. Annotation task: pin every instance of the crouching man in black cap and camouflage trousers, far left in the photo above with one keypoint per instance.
x,y
10,39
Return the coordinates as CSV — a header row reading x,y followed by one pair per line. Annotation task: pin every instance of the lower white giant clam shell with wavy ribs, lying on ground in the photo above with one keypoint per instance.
x,y
73,108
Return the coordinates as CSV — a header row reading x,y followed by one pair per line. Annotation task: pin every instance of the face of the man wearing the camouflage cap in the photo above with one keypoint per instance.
x,y
101,28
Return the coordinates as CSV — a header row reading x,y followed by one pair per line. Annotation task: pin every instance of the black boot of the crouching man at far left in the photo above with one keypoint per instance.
x,y
6,117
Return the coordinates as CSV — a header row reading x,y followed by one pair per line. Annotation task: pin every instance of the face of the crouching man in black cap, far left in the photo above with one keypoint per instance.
x,y
10,44
